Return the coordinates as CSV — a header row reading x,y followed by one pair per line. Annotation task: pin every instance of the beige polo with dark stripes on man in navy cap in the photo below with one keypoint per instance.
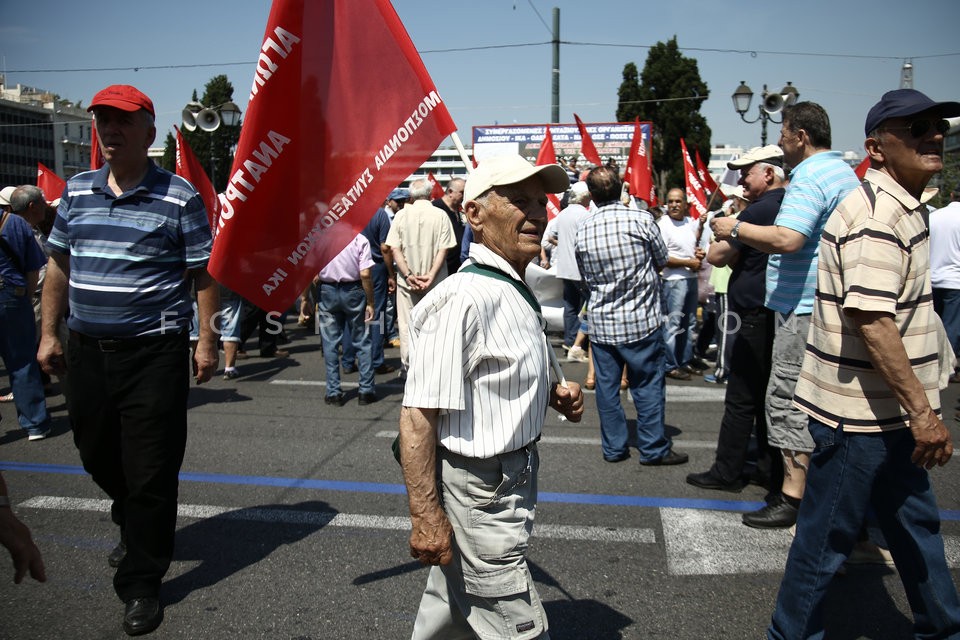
x,y
874,256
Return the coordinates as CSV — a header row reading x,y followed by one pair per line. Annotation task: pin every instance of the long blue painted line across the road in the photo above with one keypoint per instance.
x,y
399,489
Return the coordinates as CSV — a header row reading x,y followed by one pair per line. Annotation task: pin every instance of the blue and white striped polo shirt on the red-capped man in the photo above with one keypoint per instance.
x,y
129,254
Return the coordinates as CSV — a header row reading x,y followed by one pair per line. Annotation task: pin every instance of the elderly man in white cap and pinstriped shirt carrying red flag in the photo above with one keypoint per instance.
x,y
473,408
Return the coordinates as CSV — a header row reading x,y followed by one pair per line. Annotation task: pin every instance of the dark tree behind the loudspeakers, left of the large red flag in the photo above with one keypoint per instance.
x,y
218,143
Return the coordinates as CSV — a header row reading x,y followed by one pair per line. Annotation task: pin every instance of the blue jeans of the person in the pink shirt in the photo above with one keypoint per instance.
x,y
341,306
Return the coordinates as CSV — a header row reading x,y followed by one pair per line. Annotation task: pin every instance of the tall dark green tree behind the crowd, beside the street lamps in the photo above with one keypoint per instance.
x,y
670,95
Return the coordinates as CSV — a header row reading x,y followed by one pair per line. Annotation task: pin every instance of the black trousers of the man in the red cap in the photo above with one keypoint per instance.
x,y
128,411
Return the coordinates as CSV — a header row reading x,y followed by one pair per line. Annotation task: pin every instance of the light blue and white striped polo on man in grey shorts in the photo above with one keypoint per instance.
x,y
817,185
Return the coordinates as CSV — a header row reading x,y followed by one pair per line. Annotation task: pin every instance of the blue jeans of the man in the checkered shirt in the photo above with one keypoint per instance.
x,y
644,362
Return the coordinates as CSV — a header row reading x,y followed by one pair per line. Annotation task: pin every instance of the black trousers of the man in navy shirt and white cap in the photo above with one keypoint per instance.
x,y
744,409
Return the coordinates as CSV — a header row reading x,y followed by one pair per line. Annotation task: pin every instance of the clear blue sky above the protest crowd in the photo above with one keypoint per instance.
x,y
839,53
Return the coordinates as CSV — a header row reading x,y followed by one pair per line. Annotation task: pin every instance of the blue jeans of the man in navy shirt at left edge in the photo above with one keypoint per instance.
x,y
18,348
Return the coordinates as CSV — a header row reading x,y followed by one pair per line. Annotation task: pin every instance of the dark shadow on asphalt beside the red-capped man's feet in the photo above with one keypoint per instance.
x,y
233,541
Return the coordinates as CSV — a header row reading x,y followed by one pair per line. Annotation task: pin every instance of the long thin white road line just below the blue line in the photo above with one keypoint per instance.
x,y
333,519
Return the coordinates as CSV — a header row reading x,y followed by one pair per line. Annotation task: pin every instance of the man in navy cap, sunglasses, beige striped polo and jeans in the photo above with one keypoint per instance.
x,y
870,381
